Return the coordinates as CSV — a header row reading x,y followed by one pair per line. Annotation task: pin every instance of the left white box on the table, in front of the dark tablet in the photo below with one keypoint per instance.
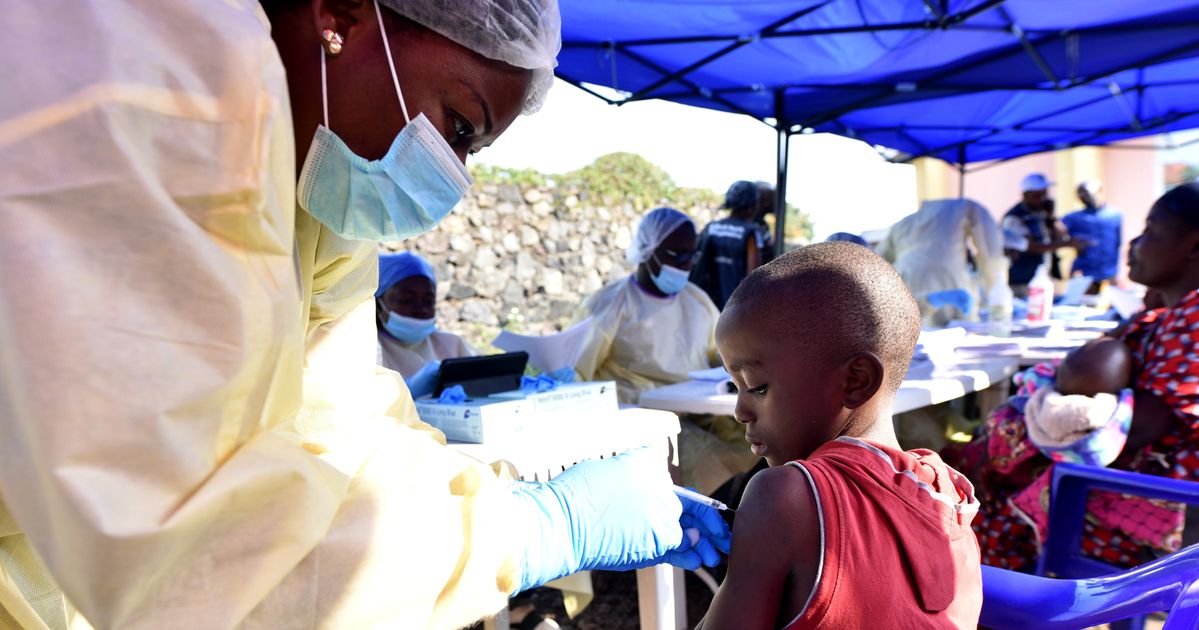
x,y
478,419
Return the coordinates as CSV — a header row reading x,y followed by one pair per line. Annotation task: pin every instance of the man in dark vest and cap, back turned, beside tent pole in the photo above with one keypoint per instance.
x,y
731,248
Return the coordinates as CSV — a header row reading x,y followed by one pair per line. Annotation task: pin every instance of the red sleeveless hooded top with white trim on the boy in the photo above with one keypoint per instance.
x,y
897,547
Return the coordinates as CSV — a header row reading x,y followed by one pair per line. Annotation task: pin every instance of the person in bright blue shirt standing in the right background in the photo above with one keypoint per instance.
x,y
1100,225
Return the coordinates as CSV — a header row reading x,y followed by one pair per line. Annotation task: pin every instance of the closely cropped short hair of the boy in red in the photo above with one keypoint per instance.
x,y
842,298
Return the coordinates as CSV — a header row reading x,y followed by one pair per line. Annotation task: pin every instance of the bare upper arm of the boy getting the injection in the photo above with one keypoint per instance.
x,y
775,557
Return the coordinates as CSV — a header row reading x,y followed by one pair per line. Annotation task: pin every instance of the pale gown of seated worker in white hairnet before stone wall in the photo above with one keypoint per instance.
x,y
644,341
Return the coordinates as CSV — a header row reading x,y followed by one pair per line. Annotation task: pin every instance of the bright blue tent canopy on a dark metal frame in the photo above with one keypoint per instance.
x,y
959,80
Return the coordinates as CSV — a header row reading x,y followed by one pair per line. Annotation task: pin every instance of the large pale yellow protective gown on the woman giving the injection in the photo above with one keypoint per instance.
x,y
192,429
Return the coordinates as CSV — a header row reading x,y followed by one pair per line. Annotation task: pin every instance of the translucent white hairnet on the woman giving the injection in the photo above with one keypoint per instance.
x,y
526,34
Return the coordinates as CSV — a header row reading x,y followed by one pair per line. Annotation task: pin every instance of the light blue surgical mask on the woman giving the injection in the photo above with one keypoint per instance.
x,y
405,194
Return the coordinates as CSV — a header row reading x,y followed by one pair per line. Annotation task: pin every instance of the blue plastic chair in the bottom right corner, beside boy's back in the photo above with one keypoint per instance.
x,y
1021,602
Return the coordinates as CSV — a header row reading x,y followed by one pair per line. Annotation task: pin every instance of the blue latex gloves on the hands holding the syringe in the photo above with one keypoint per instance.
x,y
616,514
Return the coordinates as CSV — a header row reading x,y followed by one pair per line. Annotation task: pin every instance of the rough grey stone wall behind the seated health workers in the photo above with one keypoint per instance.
x,y
525,257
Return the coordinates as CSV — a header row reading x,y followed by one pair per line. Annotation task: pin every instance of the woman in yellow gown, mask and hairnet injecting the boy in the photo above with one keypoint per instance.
x,y
194,433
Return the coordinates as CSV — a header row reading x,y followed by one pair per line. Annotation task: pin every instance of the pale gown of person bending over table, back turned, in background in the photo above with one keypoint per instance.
x,y
929,249
